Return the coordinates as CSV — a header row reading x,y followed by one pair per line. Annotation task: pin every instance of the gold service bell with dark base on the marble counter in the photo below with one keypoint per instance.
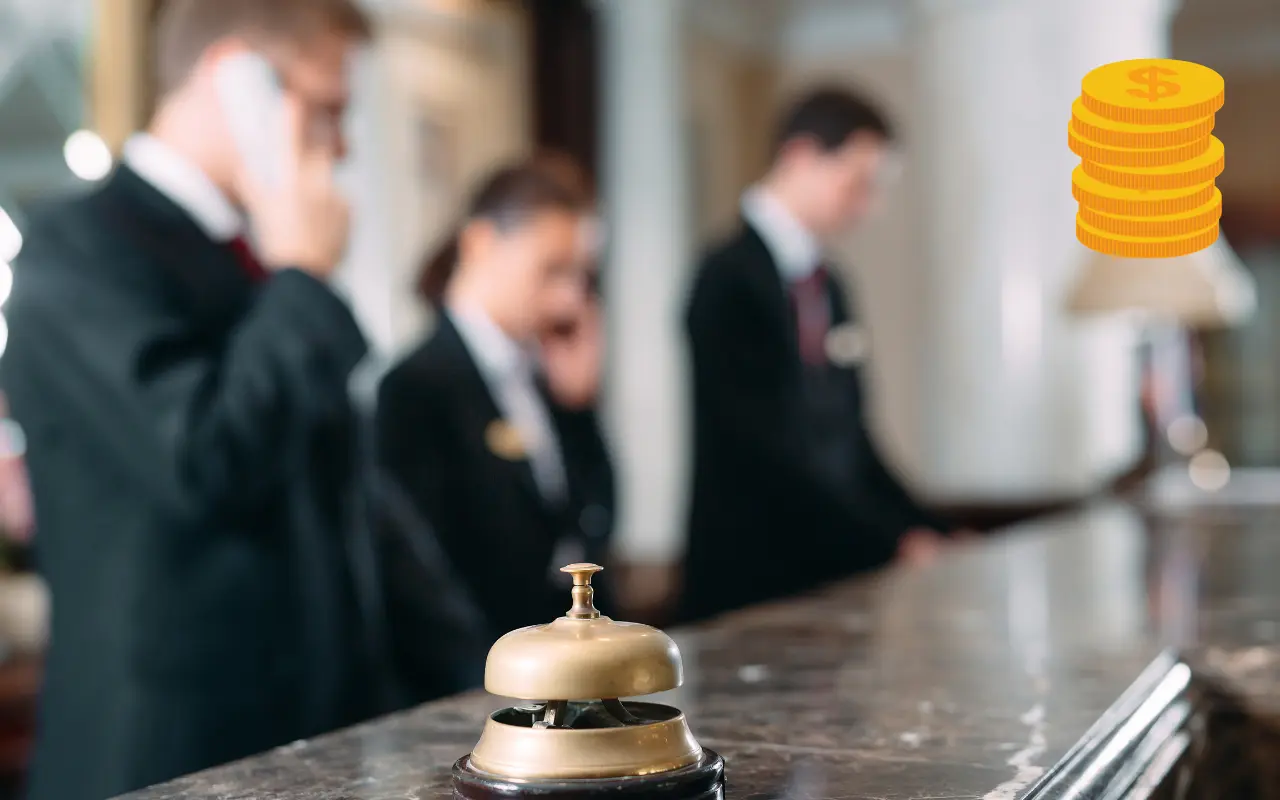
x,y
573,734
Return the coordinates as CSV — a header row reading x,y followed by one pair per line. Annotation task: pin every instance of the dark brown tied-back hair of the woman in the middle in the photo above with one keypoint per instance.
x,y
508,199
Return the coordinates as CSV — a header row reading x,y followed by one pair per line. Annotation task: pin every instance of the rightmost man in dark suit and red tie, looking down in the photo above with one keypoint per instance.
x,y
789,488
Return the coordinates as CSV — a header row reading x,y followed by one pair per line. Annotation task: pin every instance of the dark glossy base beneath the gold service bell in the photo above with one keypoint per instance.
x,y
701,781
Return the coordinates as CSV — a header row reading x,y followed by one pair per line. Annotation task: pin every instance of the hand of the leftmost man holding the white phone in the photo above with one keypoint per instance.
x,y
303,221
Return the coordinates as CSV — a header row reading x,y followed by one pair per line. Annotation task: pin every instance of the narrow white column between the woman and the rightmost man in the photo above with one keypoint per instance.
x,y
648,260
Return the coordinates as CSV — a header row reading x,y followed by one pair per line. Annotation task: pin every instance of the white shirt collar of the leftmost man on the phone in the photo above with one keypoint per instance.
x,y
186,185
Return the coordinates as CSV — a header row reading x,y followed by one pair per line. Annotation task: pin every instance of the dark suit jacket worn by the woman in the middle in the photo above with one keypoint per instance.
x,y
490,515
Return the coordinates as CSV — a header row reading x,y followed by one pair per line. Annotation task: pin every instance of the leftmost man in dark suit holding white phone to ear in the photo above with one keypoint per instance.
x,y
185,397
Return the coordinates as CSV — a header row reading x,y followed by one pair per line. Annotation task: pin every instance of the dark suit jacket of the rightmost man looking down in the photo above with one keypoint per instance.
x,y
770,518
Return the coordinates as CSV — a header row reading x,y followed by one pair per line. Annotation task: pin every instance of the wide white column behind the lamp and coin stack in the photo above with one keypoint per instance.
x,y
1023,403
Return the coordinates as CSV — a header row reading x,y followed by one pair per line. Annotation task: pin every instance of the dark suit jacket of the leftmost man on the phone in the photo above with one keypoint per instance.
x,y
190,450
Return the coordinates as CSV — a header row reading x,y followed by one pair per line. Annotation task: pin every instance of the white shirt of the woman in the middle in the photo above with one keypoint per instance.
x,y
510,373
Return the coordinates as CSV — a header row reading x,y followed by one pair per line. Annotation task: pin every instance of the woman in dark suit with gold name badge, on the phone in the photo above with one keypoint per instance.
x,y
502,455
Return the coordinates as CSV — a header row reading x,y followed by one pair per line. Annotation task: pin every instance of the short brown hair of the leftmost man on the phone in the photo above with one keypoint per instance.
x,y
186,29
